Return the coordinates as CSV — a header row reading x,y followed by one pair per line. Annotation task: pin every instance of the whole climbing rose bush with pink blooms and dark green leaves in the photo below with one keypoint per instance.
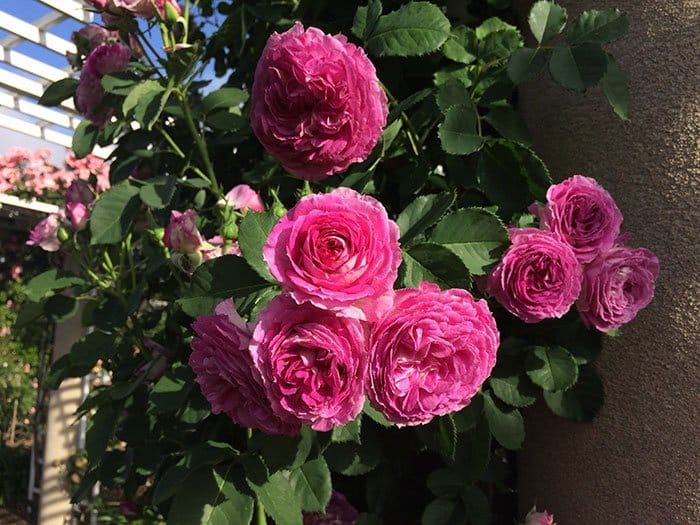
x,y
314,285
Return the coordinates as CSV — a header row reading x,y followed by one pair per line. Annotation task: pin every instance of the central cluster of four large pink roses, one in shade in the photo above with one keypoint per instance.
x,y
339,332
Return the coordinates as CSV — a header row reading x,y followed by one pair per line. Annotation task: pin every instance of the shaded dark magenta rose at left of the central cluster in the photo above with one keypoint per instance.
x,y
224,368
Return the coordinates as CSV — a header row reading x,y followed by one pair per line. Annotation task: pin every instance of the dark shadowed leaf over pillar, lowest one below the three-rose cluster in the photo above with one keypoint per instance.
x,y
581,402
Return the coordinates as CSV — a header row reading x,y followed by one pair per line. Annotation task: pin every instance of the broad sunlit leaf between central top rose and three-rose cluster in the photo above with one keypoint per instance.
x,y
475,235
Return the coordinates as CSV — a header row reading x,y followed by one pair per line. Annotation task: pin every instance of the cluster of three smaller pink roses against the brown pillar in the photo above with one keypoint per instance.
x,y
577,255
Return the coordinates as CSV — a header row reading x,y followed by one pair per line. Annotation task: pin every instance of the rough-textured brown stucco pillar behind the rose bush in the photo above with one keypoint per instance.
x,y
638,462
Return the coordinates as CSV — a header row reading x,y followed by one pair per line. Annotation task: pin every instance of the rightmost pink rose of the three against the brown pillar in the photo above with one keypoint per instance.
x,y
617,285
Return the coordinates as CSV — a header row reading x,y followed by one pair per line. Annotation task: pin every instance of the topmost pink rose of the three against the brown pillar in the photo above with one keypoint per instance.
x,y
583,215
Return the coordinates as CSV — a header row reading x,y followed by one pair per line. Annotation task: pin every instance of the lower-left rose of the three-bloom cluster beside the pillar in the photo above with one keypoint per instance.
x,y
538,278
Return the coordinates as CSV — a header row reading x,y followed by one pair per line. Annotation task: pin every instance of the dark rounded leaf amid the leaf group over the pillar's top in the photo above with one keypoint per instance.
x,y
578,68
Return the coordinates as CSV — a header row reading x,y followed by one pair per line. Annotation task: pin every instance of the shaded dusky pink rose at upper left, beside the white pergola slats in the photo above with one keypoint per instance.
x,y
105,59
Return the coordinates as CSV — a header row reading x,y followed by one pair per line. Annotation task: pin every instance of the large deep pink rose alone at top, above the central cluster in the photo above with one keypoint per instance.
x,y
316,104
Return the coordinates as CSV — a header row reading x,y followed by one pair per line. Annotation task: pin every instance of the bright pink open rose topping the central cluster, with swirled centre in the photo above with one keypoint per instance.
x,y
338,251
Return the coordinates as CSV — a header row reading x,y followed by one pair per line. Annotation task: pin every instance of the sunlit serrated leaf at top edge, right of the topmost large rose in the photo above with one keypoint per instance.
x,y
415,29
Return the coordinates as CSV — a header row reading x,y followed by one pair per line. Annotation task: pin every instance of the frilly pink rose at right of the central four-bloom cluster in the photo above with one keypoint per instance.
x,y
430,354
